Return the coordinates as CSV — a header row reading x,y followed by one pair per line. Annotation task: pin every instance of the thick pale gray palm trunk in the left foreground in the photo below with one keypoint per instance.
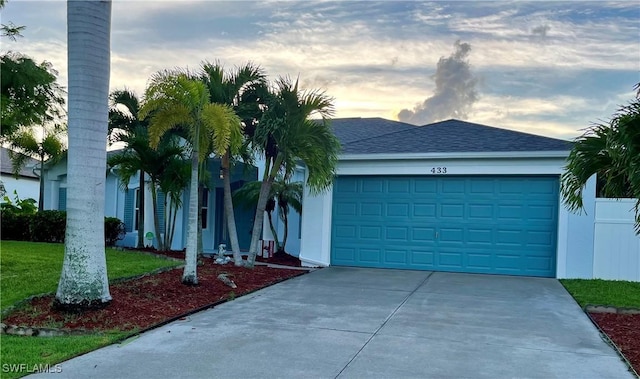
x,y
83,283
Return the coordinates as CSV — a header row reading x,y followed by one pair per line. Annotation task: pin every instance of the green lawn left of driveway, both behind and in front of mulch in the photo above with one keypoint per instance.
x,y
27,269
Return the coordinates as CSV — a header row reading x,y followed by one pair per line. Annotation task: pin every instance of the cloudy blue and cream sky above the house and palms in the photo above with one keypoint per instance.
x,y
542,67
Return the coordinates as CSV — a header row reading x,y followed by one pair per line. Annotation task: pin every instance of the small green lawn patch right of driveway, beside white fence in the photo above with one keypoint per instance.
x,y
617,293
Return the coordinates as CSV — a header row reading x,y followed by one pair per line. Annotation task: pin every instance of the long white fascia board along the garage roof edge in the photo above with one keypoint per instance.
x,y
468,155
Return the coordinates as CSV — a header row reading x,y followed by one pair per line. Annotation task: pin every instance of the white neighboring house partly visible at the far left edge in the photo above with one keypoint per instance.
x,y
26,184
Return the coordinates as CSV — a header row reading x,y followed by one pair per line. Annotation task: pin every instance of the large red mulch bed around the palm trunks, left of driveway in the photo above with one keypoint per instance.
x,y
151,300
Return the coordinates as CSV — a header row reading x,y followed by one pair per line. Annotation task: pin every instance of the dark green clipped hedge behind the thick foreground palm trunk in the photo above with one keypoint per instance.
x,y
48,226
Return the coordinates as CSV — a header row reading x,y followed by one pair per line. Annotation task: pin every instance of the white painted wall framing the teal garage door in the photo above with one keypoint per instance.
x,y
575,243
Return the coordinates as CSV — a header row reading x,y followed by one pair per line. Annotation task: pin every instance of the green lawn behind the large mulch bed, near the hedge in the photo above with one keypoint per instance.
x,y
31,268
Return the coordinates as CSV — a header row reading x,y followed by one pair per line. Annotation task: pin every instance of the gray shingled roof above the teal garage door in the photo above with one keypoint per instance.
x,y
378,136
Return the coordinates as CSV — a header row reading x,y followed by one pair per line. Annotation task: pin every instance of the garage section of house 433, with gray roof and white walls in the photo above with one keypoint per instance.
x,y
449,196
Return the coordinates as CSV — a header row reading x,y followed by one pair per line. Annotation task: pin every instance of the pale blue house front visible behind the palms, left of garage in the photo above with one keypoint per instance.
x,y
123,203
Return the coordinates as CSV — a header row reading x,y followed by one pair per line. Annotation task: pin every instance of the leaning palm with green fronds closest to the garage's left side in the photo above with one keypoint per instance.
x,y
285,136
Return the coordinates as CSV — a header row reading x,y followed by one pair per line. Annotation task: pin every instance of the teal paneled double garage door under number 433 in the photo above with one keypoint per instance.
x,y
478,224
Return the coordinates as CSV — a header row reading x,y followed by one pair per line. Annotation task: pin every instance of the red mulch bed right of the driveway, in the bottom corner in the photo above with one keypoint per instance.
x,y
624,331
